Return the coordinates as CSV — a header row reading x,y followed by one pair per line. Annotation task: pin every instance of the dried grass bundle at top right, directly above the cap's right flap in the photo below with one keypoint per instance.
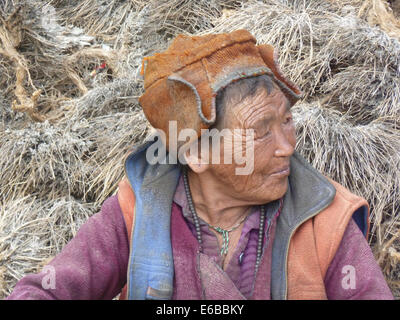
x,y
327,50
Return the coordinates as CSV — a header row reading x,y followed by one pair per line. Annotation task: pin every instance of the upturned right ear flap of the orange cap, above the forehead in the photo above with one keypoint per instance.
x,y
270,57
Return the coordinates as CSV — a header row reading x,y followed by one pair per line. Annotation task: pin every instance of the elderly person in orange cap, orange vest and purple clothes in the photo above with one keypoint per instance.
x,y
201,230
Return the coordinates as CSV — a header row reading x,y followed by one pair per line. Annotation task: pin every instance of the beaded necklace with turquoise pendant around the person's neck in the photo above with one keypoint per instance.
x,y
225,233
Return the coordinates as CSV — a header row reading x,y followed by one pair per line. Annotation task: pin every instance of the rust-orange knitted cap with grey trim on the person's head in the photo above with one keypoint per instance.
x,y
182,82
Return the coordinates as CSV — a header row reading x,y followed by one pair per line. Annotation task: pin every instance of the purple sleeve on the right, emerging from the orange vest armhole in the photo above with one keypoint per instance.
x,y
354,273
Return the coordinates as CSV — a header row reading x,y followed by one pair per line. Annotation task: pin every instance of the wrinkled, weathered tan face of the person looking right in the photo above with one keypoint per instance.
x,y
274,142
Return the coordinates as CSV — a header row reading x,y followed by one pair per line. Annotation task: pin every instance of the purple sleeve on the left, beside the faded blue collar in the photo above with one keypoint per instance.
x,y
92,265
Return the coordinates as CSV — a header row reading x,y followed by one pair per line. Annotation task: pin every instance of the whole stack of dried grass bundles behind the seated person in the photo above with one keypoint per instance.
x,y
65,129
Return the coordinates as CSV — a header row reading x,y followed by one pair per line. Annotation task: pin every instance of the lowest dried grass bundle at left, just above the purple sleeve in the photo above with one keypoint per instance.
x,y
33,231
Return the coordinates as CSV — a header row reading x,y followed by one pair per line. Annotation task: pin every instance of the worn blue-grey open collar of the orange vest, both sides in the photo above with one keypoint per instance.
x,y
151,268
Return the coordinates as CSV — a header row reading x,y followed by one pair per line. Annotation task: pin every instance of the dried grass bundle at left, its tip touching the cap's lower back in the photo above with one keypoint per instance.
x,y
53,161
